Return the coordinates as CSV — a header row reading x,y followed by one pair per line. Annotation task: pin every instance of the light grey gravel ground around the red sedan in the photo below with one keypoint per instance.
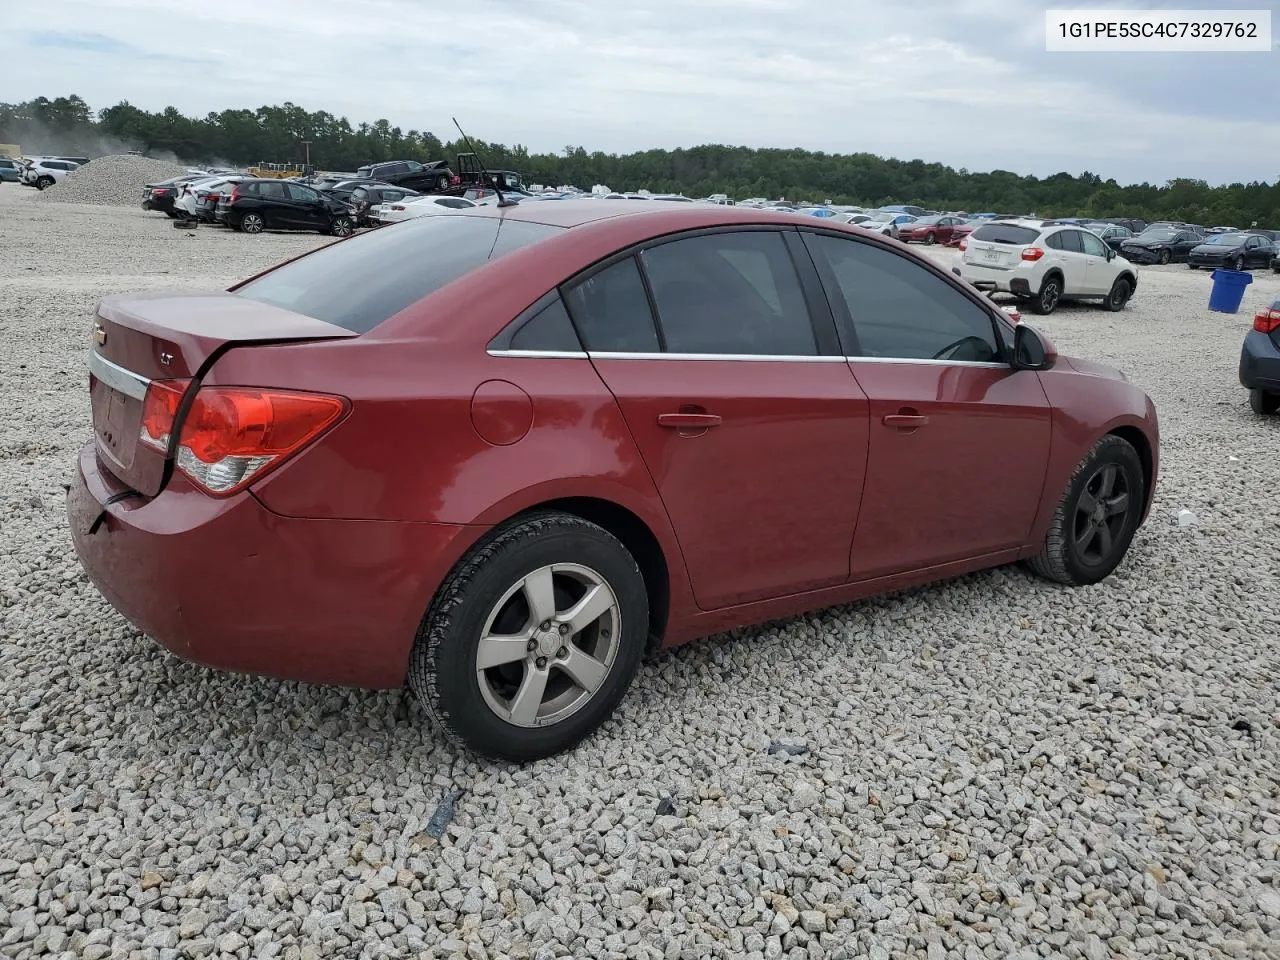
x,y
993,769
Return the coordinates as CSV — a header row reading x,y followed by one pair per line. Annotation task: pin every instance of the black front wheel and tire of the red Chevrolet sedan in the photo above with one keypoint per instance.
x,y
1098,516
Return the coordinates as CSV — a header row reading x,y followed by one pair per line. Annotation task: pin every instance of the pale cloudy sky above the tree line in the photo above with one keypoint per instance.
x,y
962,83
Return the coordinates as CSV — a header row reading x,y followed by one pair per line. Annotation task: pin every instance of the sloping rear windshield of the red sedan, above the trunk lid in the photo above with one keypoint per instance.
x,y
406,263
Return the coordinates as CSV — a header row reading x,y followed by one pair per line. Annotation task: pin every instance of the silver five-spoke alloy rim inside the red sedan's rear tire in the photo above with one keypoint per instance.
x,y
548,644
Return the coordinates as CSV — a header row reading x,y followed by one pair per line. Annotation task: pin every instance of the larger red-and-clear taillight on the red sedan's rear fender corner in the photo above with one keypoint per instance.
x,y
234,436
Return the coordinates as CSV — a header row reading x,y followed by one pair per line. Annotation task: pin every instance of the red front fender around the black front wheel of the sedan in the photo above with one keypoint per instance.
x,y
1087,408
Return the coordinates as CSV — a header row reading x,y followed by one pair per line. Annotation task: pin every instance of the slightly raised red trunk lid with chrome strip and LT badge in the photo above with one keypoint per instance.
x,y
170,336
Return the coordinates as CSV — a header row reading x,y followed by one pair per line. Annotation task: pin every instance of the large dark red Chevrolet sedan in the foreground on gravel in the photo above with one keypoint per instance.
x,y
555,436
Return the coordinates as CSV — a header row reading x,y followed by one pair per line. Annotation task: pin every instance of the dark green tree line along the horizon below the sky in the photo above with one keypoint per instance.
x,y
244,138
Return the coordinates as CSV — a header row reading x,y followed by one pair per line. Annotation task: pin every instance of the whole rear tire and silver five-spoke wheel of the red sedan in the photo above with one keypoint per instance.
x,y
486,593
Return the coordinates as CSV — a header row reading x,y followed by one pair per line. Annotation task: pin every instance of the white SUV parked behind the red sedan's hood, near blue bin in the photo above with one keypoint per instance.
x,y
1043,264
